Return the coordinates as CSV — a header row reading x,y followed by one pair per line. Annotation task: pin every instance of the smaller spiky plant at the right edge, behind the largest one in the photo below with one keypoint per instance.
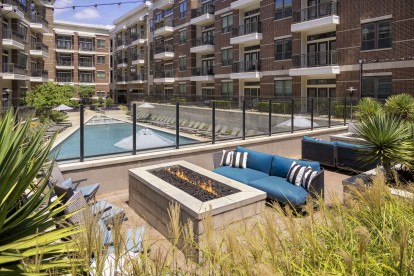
x,y
401,105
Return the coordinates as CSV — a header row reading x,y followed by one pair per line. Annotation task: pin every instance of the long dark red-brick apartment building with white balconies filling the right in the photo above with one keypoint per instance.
x,y
279,48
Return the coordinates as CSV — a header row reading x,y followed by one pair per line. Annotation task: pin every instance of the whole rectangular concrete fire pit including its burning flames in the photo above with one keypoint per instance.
x,y
196,190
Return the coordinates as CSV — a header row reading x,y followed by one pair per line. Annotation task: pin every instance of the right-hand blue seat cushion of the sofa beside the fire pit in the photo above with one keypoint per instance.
x,y
280,189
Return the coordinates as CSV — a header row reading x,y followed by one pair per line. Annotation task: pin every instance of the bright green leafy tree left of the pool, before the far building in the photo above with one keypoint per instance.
x,y
48,95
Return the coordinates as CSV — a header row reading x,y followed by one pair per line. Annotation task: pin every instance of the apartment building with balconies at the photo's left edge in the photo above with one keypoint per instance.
x,y
25,29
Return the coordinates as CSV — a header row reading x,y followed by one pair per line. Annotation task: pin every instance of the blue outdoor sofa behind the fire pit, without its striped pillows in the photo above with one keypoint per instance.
x,y
268,173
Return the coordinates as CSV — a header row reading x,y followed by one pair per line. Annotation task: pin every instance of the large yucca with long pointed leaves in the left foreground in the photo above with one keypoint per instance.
x,y
31,230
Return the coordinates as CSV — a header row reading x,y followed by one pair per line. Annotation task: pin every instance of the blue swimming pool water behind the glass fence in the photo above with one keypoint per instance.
x,y
101,137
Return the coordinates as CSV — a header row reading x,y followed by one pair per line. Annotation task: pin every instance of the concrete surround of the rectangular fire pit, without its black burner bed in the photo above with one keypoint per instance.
x,y
150,197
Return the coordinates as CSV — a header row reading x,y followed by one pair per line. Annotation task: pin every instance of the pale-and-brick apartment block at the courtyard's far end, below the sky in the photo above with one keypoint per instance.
x,y
81,56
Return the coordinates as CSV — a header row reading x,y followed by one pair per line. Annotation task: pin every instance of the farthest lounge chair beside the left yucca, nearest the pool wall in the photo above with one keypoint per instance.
x,y
88,191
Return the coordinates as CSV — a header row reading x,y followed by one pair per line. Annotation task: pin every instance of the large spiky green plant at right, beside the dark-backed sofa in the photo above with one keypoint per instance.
x,y
388,139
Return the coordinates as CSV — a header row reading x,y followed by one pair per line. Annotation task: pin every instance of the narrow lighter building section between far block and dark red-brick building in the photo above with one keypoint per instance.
x,y
129,55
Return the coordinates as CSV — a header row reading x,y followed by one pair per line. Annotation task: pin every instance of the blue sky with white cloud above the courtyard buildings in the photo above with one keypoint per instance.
x,y
101,15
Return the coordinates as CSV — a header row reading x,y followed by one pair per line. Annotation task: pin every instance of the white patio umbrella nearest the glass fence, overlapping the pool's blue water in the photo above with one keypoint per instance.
x,y
145,139
